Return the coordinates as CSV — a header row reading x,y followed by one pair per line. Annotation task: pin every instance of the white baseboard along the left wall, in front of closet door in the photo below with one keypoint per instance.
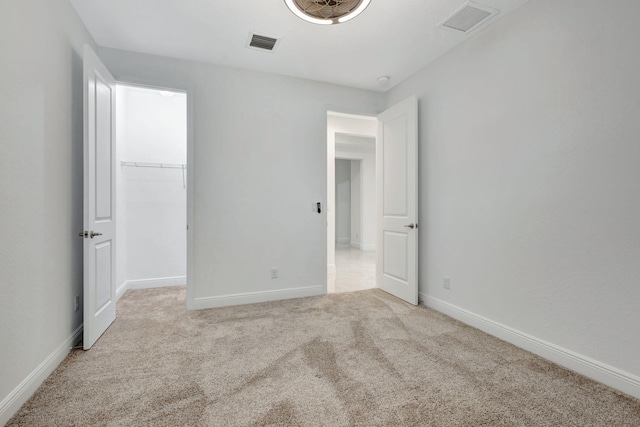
x,y
12,403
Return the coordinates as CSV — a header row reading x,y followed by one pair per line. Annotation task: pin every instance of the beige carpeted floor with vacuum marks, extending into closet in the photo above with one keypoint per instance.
x,y
360,358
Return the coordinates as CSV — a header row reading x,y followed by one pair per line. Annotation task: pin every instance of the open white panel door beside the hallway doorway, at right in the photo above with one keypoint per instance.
x,y
397,182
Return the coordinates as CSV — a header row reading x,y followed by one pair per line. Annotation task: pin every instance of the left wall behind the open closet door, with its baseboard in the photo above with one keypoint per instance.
x,y
41,45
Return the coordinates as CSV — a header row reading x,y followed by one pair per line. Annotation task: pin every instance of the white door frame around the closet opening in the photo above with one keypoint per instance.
x,y
188,91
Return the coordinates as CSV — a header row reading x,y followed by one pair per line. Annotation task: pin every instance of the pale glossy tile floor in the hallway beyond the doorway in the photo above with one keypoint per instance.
x,y
355,271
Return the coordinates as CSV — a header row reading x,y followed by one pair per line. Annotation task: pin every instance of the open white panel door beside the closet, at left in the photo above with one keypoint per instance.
x,y
99,198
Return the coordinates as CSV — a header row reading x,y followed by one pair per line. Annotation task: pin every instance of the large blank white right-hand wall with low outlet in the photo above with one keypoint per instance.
x,y
530,181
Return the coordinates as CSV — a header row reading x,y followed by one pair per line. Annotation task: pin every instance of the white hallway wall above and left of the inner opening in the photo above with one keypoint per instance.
x,y
340,124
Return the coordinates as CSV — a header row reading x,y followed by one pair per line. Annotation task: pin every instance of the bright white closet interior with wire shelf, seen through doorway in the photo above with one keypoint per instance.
x,y
151,187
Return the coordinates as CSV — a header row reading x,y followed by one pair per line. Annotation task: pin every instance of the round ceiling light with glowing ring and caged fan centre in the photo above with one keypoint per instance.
x,y
327,12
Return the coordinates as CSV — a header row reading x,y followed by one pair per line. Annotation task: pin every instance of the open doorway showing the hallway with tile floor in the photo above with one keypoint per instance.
x,y
351,202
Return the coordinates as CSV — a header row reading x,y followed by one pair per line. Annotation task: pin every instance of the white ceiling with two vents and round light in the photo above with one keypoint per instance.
x,y
392,38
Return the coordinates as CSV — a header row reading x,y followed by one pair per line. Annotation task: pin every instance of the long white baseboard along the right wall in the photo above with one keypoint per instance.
x,y
598,371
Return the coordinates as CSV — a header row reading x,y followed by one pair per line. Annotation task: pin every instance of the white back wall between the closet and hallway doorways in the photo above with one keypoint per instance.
x,y
259,163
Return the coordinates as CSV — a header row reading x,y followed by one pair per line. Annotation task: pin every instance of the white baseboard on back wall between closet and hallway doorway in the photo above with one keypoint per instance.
x,y
256,297
